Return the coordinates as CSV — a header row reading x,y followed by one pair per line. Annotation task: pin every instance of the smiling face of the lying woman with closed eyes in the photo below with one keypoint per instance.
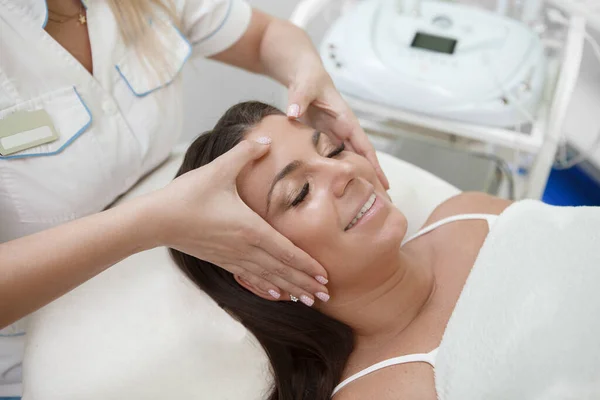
x,y
316,195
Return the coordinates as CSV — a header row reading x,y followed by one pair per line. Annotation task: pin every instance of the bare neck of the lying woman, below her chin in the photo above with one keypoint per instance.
x,y
385,312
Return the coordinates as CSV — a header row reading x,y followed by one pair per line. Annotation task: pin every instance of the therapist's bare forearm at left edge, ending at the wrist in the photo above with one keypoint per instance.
x,y
36,269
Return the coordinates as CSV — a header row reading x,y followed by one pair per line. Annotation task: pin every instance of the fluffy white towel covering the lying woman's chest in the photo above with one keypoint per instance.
x,y
527,325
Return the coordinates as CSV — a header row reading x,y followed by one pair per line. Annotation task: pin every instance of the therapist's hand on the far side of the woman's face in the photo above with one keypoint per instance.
x,y
314,98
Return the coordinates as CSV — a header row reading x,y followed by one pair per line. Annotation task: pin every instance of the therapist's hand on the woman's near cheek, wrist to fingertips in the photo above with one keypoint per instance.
x,y
201,214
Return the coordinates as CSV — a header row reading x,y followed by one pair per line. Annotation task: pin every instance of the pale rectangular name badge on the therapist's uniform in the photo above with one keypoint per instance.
x,y
23,130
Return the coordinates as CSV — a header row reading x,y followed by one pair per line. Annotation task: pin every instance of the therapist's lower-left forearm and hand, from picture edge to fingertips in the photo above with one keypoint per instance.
x,y
199,213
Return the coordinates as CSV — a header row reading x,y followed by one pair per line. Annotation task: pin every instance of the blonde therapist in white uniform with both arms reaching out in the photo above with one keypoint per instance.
x,y
90,102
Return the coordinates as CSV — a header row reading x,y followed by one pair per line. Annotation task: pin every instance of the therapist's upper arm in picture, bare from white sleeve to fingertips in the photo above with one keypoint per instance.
x,y
281,50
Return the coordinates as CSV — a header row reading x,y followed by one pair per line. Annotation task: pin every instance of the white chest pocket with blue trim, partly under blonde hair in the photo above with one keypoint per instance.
x,y
158,68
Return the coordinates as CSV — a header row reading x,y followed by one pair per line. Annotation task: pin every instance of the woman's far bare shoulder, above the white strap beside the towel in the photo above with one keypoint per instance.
x,y
469,203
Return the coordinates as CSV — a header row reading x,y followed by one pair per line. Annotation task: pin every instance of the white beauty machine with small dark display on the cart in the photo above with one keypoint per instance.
x,y
438,58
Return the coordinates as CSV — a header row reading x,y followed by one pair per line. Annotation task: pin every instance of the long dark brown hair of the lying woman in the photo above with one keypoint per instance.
x,y
307,349
